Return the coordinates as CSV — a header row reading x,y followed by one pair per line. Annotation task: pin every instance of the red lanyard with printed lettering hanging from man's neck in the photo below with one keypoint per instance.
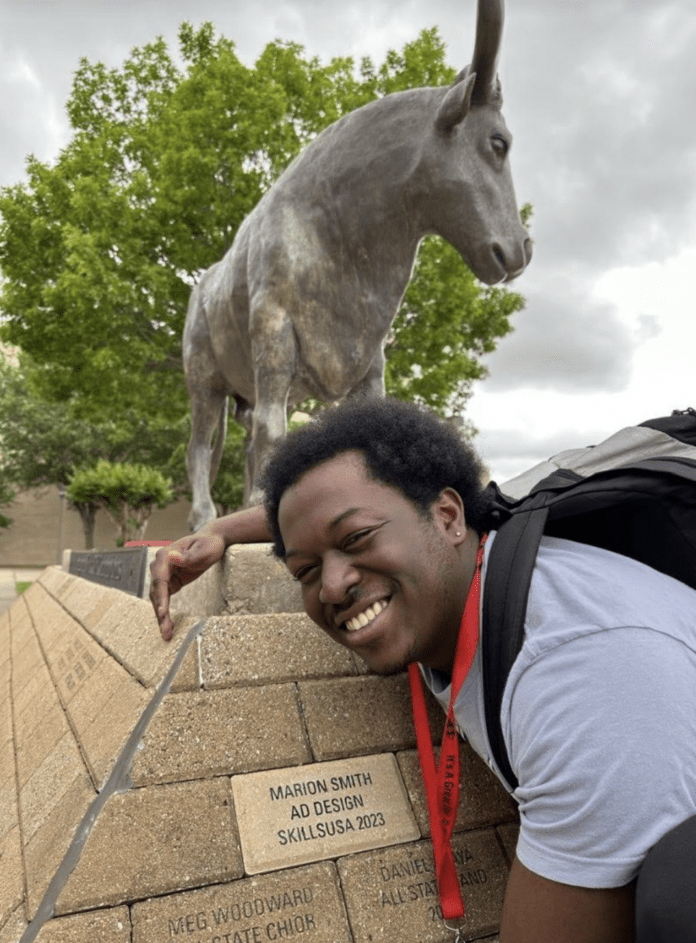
x,y
442,781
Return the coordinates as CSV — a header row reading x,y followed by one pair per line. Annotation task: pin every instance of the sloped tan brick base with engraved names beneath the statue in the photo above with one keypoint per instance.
x,y
145,770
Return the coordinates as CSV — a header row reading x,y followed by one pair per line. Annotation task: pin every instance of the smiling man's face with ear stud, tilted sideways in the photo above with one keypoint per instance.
x,y
377,576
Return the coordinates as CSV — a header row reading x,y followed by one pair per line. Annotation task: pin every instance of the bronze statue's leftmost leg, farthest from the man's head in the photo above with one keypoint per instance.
x,y
207,405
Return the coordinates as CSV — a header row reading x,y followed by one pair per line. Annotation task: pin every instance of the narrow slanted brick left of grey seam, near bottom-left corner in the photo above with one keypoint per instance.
x,y
49,844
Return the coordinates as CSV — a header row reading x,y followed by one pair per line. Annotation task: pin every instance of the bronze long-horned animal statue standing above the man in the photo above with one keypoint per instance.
x,y
302,302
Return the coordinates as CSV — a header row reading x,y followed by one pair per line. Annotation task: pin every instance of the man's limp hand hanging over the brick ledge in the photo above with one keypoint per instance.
x,y
178,564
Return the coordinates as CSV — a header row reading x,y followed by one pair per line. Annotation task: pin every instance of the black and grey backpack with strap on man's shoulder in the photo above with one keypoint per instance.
x,y
634,493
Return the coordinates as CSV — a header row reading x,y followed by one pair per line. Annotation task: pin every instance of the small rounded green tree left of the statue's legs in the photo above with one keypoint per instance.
x,y
127,493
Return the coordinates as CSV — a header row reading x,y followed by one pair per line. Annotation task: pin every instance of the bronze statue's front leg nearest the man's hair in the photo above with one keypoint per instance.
x,y
274,353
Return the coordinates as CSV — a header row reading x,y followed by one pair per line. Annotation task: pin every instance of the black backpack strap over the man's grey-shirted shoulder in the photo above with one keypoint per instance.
x,y
506,588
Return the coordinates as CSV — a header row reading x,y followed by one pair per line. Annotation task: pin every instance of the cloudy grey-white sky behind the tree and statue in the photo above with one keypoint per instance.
x,y
601,98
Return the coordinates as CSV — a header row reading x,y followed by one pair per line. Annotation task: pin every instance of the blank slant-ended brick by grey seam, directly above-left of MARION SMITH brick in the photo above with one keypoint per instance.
x,y
208,733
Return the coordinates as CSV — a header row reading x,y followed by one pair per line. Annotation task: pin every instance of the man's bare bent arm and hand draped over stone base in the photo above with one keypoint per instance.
x,y
185,559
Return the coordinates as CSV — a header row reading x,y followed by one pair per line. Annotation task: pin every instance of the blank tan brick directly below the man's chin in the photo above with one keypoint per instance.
x,y
355,716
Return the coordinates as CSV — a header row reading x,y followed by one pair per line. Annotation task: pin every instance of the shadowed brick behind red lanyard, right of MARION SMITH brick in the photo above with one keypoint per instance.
x,y
482,799
